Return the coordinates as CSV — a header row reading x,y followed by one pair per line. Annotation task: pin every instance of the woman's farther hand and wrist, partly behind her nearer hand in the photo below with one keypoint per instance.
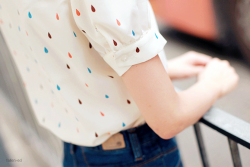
x,y
187,65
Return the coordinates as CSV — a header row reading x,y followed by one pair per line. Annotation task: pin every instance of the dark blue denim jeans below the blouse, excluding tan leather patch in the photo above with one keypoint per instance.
x,y
143,148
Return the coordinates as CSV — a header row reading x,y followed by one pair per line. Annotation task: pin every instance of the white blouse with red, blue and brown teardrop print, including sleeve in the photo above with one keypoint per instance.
x,y
71,55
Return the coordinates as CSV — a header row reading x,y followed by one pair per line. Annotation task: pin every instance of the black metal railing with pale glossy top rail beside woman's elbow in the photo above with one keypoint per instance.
x,y
236,130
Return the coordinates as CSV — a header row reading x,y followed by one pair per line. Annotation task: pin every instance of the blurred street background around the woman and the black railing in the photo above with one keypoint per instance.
x,y
216,28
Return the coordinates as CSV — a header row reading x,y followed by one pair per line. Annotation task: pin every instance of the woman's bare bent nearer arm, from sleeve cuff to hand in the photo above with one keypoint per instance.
x,y
168,112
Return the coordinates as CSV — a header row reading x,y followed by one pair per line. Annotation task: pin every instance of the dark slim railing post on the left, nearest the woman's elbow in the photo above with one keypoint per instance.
x,y
201,145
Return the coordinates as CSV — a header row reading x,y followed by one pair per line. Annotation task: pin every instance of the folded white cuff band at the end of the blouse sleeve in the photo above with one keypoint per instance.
x,y
142,50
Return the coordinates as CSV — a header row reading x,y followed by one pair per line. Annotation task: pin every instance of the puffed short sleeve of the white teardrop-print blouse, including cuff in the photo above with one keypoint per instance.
x,y
119,30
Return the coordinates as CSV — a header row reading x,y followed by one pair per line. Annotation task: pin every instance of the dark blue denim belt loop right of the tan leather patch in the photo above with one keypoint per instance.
x,y
135,144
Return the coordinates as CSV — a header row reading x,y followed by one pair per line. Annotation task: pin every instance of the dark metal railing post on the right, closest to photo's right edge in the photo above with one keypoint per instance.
x,y
235,153
